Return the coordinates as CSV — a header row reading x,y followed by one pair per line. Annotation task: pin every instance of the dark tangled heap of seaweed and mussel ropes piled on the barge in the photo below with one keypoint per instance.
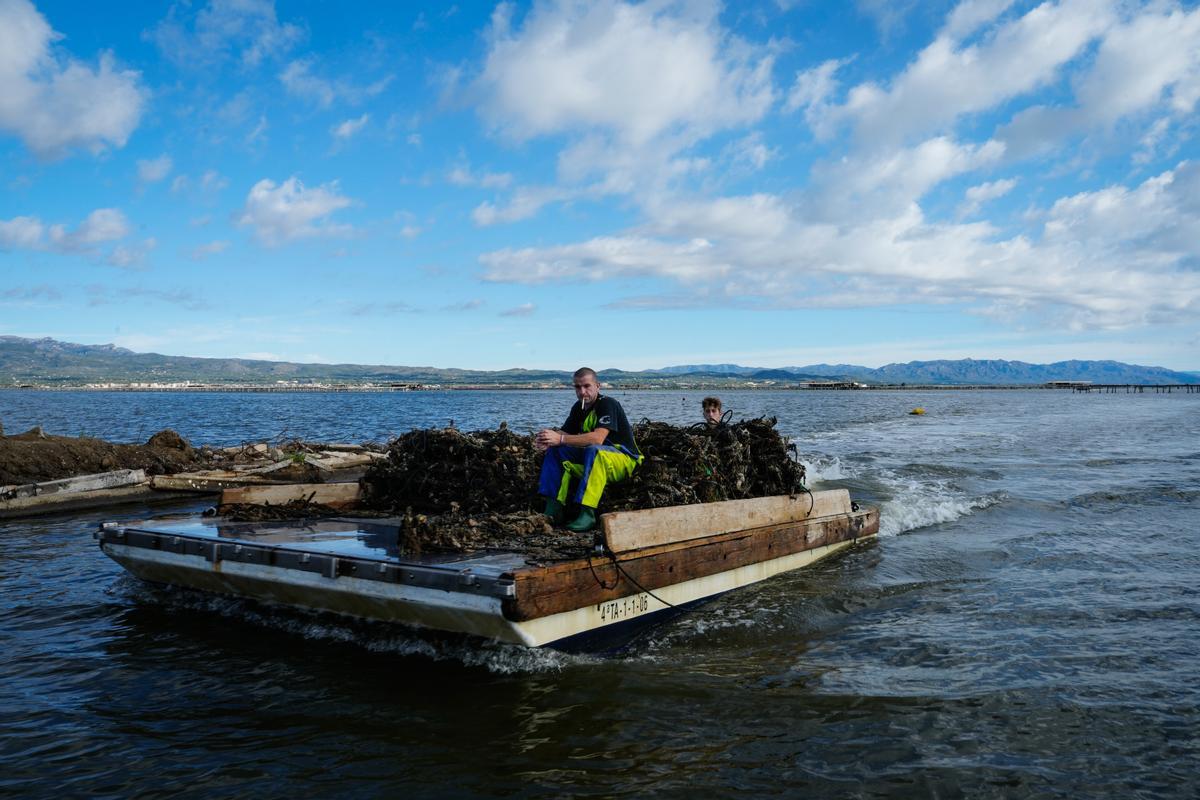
x,y
457,491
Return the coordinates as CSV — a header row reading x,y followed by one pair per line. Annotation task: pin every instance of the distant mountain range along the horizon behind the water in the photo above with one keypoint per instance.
x,y
47,362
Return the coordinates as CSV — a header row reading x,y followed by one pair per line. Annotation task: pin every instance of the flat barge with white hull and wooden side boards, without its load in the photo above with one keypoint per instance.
x,y
646,563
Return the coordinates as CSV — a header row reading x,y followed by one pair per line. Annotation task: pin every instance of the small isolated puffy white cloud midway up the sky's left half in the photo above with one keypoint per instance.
x,y
284,213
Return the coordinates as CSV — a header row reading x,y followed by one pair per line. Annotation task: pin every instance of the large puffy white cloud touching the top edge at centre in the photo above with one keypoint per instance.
x,y
638,71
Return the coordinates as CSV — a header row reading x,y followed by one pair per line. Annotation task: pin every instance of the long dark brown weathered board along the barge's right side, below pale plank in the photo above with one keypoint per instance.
x,y
562,587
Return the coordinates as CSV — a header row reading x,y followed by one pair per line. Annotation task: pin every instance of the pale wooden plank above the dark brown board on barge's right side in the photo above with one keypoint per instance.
x,y
628,531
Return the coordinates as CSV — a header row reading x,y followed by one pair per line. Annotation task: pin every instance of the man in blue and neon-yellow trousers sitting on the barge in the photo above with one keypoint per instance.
x,y
596,446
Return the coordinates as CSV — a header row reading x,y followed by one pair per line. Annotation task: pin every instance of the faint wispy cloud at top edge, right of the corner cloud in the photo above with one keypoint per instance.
x,y
247,31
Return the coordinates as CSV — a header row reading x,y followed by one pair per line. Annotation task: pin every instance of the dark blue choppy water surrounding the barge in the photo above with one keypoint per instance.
x,y
1028,625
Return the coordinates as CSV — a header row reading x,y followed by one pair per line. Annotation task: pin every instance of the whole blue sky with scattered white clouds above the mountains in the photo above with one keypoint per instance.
x,y
621,185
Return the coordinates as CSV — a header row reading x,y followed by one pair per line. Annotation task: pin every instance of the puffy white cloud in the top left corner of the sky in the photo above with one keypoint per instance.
x,y
57,105
